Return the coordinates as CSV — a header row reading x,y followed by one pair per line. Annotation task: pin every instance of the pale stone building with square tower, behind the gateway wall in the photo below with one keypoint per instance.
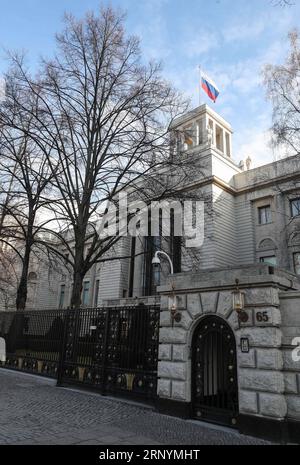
x,y
235,234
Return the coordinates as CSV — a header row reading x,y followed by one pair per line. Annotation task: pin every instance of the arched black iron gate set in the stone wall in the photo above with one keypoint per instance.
x,y
214,372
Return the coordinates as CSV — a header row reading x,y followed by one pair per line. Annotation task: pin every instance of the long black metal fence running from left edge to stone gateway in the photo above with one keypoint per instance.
x,y
113,350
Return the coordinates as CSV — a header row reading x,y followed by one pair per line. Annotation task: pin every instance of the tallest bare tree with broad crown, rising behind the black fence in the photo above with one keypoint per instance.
x,y
102,122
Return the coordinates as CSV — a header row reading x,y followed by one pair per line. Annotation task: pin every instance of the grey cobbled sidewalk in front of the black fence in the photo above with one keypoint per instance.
x,y
34,411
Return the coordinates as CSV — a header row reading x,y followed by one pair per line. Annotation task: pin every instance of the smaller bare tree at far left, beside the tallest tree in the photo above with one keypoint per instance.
x,y
25,184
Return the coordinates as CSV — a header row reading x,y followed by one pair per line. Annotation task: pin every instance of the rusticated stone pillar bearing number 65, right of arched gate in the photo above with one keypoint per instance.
x,y
261,379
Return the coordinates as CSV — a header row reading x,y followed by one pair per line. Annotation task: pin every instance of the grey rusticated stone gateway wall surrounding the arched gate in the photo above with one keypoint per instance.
x,y
264,375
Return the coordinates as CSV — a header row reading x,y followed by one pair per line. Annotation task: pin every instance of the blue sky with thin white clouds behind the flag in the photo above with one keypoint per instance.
x,y
231,39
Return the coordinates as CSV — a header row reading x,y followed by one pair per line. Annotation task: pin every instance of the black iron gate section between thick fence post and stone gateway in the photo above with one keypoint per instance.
x,y
113,350
